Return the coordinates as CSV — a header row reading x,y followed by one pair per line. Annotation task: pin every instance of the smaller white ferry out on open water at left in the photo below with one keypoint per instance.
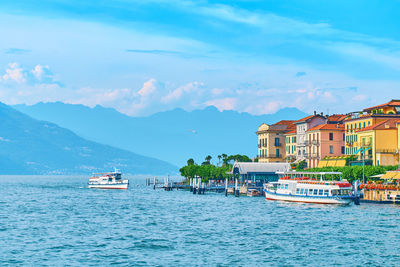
x,y
108,180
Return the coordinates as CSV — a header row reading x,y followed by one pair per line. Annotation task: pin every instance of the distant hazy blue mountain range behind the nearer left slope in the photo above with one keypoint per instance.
x,y
173,136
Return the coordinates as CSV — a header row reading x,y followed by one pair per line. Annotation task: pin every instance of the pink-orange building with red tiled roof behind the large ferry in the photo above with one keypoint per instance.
x,y
324,140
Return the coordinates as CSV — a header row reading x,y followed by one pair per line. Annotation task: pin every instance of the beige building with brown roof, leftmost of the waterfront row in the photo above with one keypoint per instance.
x,y
272,141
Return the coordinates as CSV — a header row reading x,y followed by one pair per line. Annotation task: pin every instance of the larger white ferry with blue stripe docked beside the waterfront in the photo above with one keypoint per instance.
x,y
303,187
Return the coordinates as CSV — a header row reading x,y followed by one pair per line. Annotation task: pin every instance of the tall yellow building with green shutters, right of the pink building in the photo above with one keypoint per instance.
x,y
368,118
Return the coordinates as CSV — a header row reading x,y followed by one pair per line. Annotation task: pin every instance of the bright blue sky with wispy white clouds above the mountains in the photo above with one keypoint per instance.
x,y
143,57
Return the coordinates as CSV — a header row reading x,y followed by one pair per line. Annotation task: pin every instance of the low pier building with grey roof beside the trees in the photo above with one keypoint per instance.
x,y
258,172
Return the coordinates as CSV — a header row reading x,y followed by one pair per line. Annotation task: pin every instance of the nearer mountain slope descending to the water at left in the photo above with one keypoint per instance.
x,y
29,146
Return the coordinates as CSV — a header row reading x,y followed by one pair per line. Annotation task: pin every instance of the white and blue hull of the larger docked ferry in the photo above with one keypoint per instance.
x,y
308,199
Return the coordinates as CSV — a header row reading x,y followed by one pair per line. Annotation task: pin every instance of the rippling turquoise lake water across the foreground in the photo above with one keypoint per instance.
x,y
58,221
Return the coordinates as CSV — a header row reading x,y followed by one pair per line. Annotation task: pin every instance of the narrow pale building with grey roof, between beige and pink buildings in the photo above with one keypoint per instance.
x,y
302,126
